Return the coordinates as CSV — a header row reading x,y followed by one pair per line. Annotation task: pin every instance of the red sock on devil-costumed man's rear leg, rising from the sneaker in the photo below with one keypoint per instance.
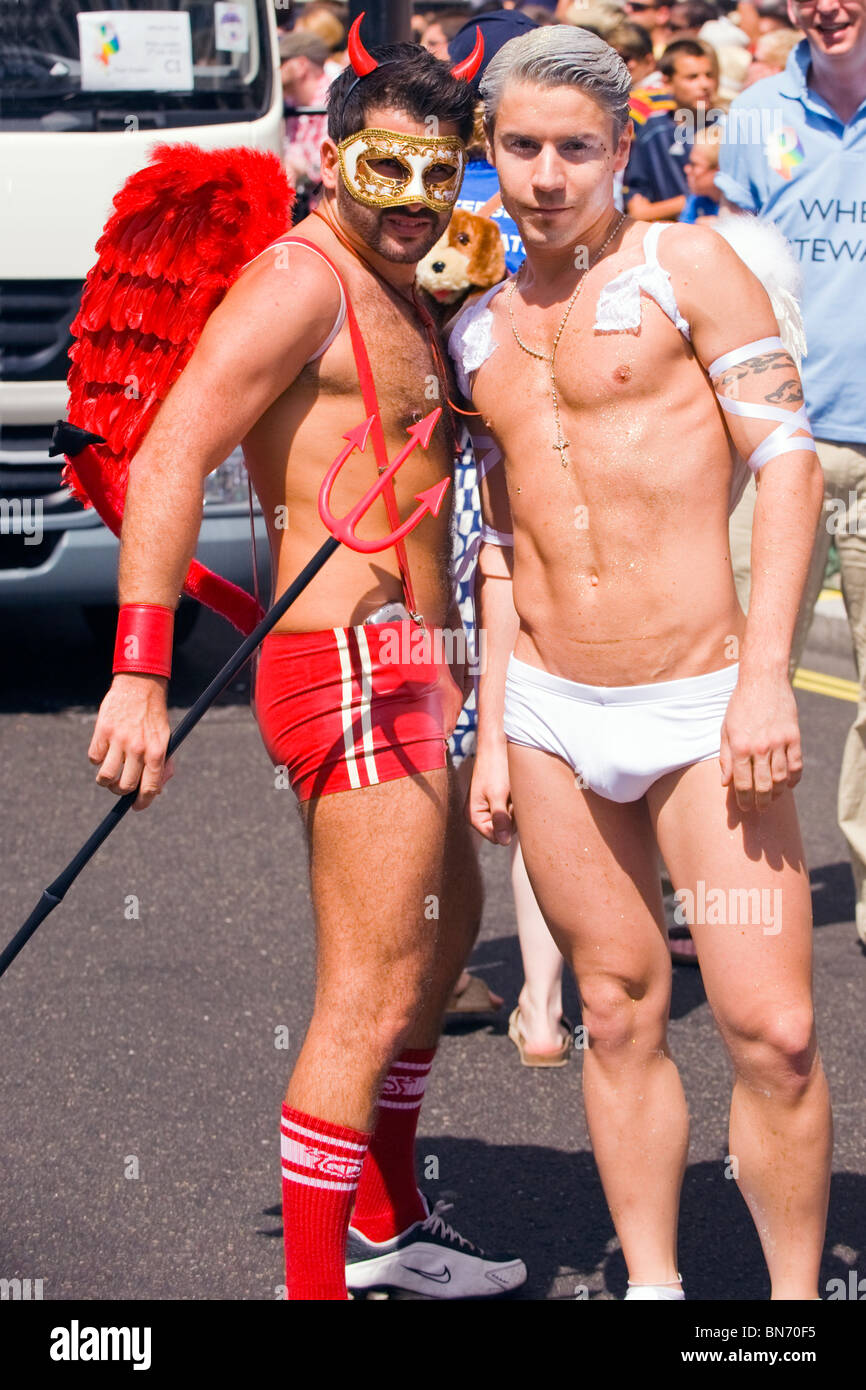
x,y
389,1199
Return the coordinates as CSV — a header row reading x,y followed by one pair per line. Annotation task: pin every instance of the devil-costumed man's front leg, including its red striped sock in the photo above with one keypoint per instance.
x,y
369,881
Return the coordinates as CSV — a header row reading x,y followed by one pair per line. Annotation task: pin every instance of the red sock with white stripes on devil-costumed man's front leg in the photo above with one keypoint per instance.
x,y
322,1166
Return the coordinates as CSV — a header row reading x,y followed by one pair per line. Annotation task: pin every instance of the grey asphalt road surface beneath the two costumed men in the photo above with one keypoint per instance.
x,y
142,1084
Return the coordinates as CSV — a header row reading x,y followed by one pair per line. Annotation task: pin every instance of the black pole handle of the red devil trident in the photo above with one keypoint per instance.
x,y
55,893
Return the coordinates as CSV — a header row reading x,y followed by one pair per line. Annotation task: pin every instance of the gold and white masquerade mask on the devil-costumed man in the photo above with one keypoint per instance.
x,y
416,156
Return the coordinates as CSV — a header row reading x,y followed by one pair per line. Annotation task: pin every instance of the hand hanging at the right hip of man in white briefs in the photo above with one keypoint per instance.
x,y
761,750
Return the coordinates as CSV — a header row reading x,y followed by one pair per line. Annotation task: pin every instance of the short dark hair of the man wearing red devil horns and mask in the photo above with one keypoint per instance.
x,y
408,80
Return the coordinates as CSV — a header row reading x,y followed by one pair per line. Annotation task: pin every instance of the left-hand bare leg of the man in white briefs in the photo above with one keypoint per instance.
x,y
593,867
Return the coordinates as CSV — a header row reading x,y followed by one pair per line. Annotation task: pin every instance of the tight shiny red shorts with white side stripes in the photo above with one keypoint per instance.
x,y
352,707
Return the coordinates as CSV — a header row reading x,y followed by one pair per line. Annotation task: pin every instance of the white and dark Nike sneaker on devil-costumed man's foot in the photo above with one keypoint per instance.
x,y
430,1259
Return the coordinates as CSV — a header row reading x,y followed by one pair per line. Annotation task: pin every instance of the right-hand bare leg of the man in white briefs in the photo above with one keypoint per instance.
x,y
758,982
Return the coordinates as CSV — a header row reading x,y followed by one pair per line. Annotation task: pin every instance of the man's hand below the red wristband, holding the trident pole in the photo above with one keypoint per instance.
x,y
131,739
